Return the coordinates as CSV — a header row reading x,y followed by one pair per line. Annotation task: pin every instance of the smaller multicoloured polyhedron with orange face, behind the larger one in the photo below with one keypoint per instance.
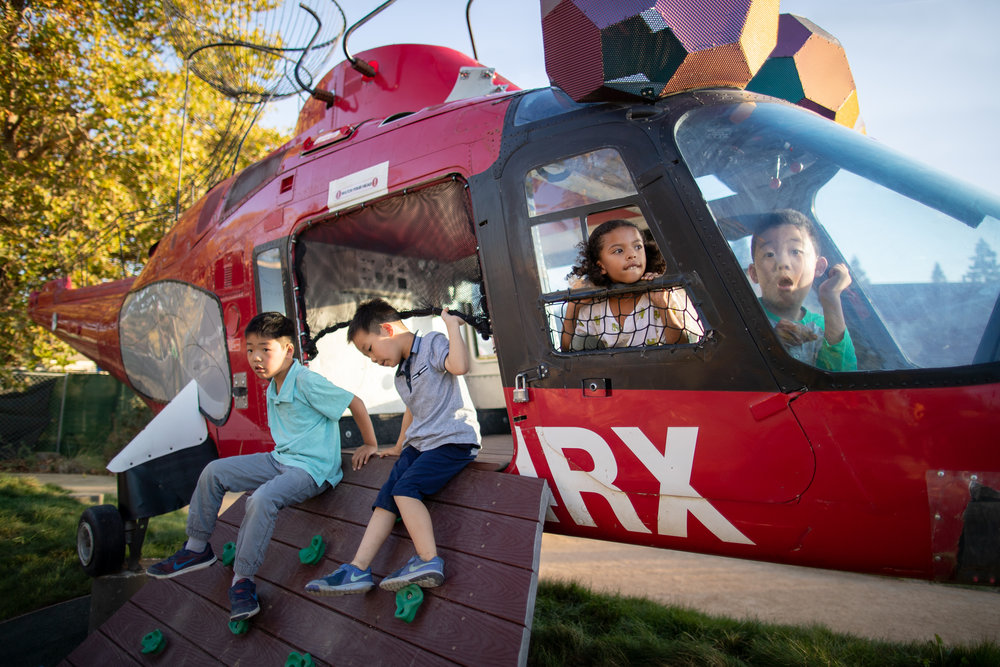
x,y
809,67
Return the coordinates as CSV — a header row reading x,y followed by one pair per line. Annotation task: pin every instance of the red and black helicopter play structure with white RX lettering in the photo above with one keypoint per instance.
x,y
423,177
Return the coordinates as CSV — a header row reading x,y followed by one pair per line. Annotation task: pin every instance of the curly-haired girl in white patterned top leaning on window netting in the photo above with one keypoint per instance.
x,y
617,253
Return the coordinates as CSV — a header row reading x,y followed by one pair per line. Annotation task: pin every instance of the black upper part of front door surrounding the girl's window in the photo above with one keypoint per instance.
x,y
727,360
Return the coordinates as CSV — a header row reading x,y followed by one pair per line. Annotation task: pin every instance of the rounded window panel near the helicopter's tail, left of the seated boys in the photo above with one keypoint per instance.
x,y
172,333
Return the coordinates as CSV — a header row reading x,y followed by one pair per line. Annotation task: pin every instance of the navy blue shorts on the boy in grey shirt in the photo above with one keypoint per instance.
x,y
418,474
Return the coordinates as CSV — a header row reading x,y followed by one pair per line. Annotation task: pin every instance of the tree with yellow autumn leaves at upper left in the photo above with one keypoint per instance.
x,y
91,114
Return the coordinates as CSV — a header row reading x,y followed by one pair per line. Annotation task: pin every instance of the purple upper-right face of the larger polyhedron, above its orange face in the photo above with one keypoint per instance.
x,y
702,24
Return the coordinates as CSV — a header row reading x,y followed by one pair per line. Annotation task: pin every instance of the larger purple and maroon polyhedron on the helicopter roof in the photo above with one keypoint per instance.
x,y
646,48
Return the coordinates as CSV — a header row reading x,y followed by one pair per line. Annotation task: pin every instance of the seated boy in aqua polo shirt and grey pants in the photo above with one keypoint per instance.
x,y
303,413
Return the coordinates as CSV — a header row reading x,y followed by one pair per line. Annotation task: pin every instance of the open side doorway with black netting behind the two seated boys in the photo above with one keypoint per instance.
x,y
416,250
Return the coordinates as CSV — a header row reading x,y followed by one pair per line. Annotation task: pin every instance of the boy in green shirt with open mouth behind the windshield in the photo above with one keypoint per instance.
x,y
786,261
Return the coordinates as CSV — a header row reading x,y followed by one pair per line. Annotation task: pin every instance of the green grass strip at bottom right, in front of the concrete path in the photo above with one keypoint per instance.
x,y
573,626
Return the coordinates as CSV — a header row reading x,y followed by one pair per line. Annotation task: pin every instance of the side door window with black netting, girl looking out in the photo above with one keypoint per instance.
x,y
640,303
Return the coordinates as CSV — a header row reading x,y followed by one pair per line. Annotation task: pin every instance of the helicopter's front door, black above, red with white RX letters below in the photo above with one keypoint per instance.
x,y
623,413
